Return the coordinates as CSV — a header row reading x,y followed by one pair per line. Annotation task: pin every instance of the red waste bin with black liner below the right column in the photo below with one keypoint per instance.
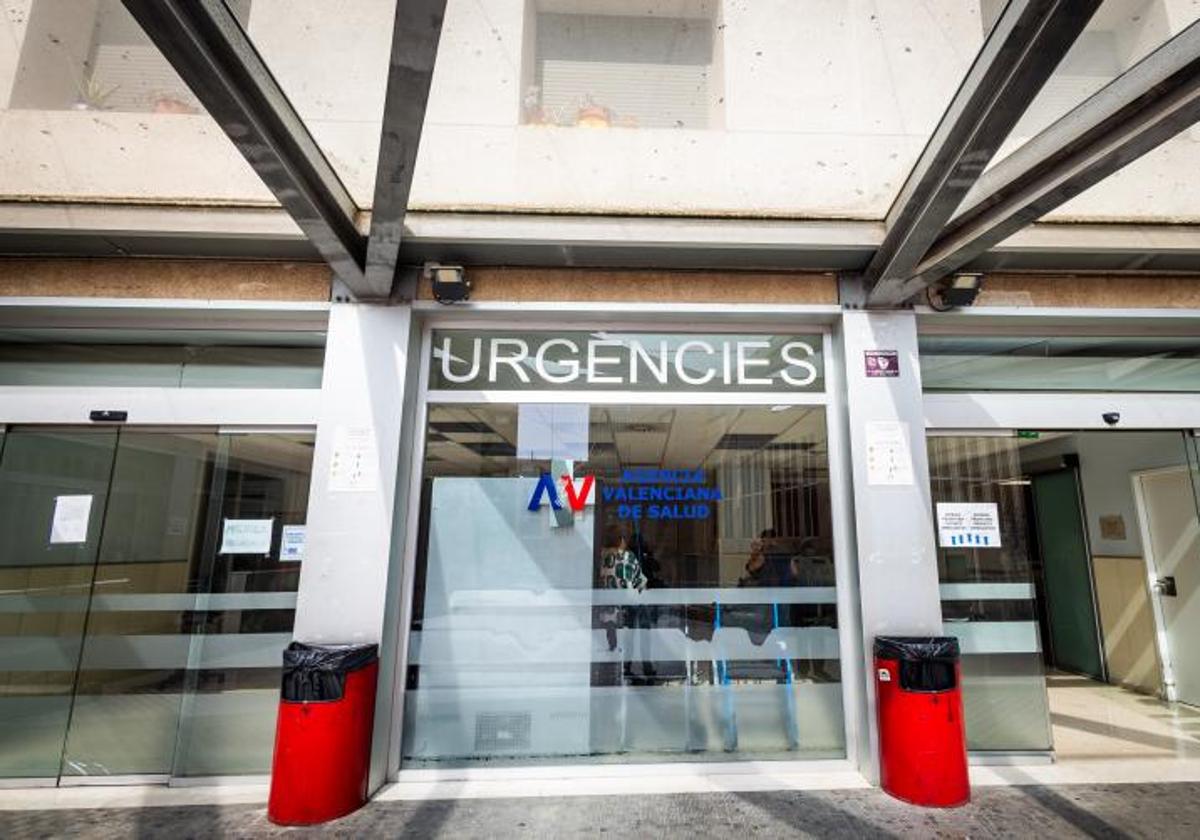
x,y
923,754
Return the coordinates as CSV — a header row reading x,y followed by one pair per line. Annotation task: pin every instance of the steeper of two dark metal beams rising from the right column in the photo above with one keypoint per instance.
x,y
1019,55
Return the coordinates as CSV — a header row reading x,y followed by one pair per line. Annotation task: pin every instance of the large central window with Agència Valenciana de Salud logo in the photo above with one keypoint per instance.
x,y
627,583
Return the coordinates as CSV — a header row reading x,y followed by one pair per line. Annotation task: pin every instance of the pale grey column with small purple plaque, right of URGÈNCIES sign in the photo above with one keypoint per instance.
x,y
897,551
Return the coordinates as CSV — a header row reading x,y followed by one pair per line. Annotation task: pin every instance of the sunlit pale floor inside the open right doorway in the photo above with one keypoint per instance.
x,y
1097,722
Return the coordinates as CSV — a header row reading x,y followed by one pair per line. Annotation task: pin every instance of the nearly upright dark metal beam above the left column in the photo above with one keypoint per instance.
x,y
415,49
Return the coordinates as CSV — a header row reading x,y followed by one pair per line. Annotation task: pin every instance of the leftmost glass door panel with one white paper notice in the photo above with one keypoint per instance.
x,y
53,494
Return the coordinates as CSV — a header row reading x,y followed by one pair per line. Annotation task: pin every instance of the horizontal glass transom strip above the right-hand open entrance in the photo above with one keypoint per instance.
x,y
1060,364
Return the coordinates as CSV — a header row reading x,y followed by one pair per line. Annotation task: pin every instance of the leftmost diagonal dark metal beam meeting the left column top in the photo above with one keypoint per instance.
x,y
214,56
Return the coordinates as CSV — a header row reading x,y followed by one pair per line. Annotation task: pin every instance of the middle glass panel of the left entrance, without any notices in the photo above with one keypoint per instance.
x,y
143,607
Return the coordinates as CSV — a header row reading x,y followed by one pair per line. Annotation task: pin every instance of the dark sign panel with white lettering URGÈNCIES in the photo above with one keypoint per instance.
x,y
620,362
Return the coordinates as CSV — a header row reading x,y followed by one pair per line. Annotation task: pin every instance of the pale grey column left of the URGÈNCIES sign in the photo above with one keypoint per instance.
x,y
351,577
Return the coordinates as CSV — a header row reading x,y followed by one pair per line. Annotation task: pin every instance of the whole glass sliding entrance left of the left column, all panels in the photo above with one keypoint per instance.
x,y
145,601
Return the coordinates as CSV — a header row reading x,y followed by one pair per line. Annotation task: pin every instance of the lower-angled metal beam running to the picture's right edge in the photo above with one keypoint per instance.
x,y
1144,107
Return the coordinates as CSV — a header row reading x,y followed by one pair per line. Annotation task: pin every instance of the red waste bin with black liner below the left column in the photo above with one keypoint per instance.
x,y
323,735
